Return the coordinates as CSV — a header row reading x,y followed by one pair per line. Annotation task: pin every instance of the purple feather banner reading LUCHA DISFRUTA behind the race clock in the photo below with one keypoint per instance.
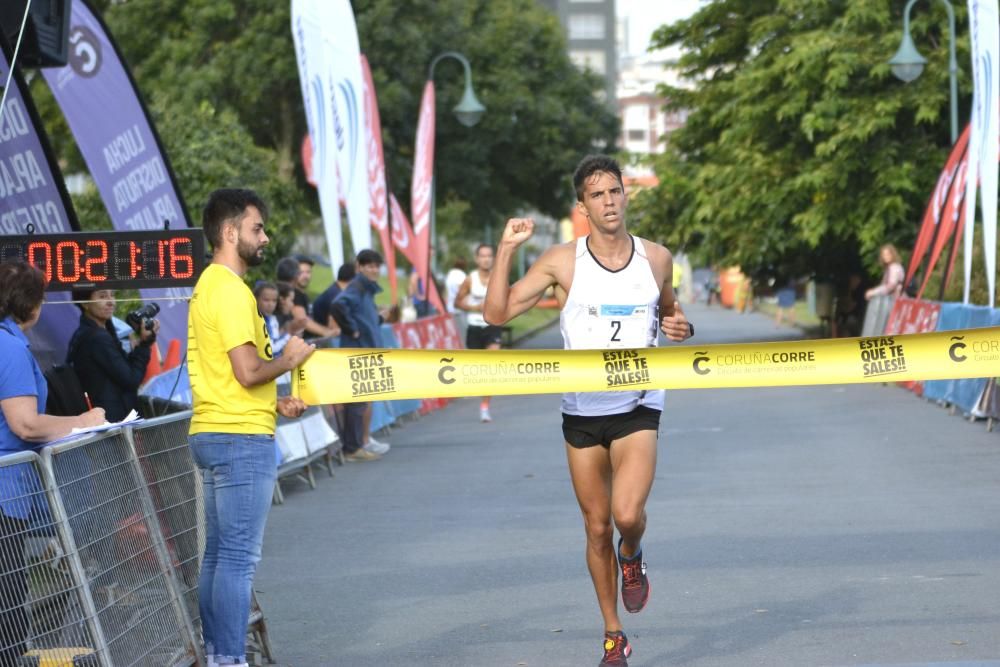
x,y
117,140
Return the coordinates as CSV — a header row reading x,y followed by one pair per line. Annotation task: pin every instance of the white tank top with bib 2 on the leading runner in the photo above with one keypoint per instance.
x,y
606,310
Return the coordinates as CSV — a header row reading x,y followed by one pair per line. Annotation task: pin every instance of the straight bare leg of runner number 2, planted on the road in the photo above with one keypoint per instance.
x,y
590,471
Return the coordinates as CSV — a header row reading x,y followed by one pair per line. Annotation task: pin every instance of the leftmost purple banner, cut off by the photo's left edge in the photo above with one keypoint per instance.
x,y
33,197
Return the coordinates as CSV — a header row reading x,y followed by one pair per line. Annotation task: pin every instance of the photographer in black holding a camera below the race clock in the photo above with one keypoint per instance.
x,y
110,377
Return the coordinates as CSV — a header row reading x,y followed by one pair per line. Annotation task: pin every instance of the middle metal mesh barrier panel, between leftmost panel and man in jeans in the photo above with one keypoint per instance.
x,y
130,595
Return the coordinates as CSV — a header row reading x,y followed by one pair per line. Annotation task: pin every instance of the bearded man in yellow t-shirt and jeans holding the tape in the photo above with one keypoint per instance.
x,y
233,373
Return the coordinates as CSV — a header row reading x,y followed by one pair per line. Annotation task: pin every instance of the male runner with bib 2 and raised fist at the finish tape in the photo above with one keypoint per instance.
x,y
615,292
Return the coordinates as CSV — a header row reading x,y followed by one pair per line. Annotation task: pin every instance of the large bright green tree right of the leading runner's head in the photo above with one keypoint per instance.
x,y
802,153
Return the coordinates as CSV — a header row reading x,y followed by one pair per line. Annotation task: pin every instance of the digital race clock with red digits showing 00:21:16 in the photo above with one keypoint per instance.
x,y
111,260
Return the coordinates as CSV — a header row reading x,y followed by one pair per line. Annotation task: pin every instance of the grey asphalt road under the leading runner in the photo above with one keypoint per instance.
x,y
838,526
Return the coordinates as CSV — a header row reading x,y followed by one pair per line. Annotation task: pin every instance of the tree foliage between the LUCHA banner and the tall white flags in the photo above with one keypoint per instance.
x,y
237,55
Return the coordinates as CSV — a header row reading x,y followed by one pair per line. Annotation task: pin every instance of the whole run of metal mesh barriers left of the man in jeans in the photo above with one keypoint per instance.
x,y
102,570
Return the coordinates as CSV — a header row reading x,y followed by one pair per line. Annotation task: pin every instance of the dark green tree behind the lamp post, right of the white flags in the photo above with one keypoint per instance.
x,y
542,113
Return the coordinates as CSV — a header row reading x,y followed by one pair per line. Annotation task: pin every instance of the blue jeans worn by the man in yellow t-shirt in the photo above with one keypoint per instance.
x,y
238,473
